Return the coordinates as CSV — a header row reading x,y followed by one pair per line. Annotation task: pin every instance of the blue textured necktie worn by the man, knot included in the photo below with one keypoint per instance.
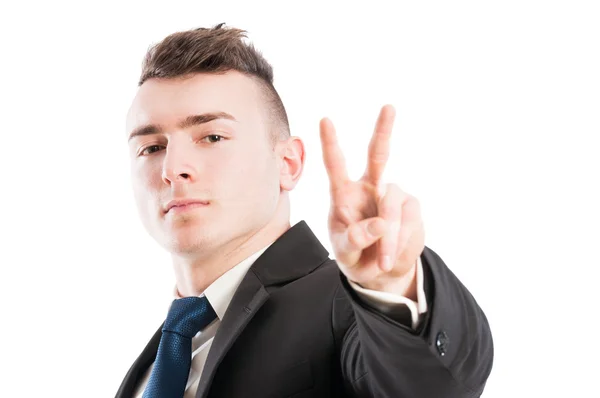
x,y
187,316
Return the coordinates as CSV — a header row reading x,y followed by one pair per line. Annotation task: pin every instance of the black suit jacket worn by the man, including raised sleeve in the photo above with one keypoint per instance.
x,y
295,328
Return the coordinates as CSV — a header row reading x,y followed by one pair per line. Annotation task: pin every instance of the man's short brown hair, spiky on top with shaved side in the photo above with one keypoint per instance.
x,y
217,50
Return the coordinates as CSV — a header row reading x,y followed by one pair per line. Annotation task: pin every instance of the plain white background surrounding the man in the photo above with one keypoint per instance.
x,y
497,135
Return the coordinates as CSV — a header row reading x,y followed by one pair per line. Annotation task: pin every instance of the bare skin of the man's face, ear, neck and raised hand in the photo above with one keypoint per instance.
x,y
244,184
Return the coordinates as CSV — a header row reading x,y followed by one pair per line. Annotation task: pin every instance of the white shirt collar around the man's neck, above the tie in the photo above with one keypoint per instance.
x,y
221,291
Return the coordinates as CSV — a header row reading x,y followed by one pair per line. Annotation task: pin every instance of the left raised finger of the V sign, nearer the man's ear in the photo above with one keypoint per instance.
x,y
335,164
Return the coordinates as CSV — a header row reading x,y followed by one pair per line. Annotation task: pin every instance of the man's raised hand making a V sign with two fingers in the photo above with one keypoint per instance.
x,y
376,230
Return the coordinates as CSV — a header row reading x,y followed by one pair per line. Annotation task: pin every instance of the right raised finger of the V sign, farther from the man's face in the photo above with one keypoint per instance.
x,y
379,147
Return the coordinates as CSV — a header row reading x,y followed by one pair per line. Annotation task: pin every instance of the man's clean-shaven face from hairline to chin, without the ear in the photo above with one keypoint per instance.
x,y
227,163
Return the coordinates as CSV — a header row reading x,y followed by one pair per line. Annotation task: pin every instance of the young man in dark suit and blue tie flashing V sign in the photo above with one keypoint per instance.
x,y
260,309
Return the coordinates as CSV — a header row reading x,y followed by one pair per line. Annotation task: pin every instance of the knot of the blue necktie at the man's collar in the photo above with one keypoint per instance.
x,y
188,315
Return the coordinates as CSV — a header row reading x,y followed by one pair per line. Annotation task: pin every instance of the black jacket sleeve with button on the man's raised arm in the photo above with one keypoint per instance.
x,y
449,355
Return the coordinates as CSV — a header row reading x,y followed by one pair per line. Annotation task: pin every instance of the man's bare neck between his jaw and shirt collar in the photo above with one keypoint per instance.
x,y
194,274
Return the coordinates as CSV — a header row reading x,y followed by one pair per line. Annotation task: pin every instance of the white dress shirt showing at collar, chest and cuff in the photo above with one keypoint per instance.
x,y
221,291
